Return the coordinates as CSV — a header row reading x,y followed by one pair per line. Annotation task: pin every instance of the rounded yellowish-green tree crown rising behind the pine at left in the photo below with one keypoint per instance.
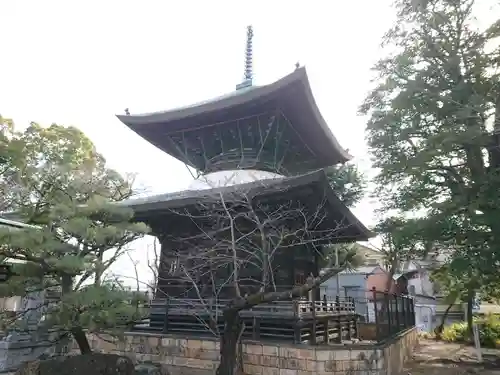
x,y
55,164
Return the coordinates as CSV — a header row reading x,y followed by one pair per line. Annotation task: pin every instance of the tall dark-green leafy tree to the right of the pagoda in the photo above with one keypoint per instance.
x,y
431,129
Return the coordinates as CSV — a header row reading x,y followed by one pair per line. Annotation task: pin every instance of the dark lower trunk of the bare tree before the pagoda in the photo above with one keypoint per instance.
x,y
229,342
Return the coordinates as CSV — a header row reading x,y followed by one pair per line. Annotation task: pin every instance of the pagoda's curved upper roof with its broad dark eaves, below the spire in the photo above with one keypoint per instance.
x,y
291,95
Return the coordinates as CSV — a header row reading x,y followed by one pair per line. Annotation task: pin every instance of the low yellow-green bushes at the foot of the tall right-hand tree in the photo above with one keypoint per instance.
x,y
489,331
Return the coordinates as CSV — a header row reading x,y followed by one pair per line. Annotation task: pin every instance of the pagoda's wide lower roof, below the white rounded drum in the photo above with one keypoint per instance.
x,y
311,188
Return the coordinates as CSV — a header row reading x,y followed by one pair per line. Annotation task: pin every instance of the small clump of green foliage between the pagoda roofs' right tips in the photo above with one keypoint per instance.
x,y
348,183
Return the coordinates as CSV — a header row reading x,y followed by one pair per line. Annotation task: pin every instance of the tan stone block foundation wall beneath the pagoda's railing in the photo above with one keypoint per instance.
x,y
195,356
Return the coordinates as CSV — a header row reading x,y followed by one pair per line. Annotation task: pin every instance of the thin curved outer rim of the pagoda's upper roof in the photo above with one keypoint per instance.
x,y
240,98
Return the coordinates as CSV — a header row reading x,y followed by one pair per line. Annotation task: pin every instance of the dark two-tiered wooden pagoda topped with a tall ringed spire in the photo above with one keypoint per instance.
x,y
269,142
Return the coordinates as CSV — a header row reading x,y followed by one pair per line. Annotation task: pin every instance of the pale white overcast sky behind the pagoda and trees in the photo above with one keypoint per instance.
x,y
81,62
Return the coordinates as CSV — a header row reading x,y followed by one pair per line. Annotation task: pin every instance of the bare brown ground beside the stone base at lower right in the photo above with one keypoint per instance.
x,y
438,358
